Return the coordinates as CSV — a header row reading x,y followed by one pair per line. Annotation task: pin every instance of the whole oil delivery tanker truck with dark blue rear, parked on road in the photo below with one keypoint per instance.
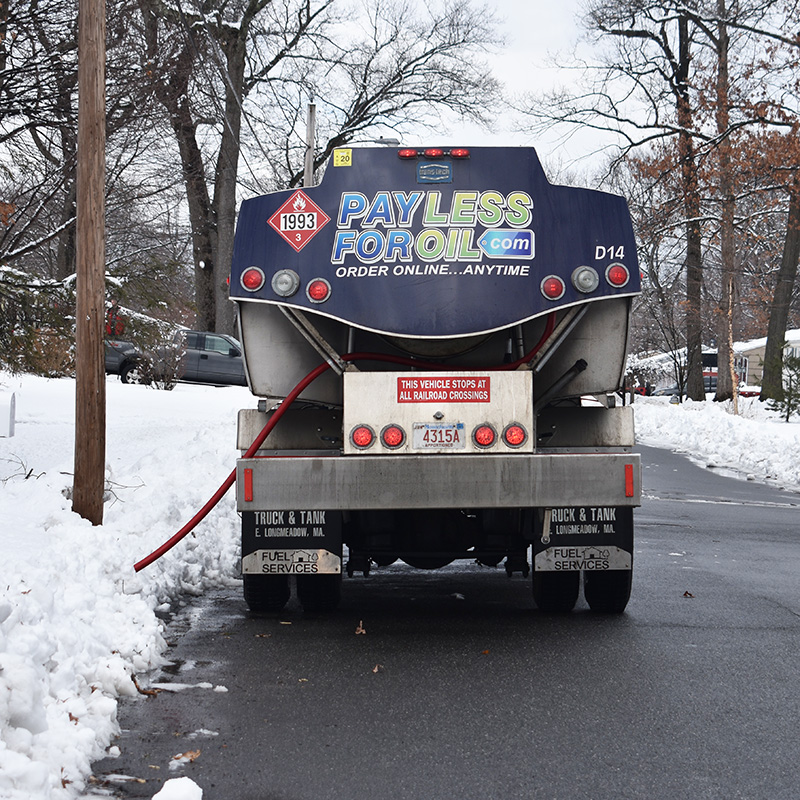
x,y
423,331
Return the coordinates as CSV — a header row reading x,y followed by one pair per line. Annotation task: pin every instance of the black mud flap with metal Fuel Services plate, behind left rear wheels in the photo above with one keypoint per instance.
x,y
297,542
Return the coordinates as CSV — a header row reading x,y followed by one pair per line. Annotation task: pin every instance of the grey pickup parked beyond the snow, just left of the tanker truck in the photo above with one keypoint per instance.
x,y
199,356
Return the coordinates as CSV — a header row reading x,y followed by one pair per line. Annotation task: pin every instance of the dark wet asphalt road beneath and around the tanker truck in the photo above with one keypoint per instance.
x,y
459,688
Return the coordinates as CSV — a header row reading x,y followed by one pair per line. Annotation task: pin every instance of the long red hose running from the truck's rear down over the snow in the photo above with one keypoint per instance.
x,y
290,398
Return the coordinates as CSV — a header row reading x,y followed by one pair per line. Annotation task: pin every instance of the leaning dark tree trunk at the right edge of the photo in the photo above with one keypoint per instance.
x,y
772,379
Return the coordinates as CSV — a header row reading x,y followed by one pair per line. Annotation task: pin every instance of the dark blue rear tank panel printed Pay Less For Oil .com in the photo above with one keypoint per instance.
x,y
434,247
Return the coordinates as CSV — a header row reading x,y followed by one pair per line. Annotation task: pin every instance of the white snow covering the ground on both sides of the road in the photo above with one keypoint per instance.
x,y
77,624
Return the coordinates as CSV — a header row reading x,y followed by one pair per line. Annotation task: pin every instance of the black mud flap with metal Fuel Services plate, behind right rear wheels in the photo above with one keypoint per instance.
x,y
584,538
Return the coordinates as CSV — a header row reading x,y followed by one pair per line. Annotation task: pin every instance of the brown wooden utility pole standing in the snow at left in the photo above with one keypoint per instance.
x,y
90,395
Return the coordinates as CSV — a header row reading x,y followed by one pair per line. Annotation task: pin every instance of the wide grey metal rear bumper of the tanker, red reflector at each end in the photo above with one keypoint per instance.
x,y
438,481
